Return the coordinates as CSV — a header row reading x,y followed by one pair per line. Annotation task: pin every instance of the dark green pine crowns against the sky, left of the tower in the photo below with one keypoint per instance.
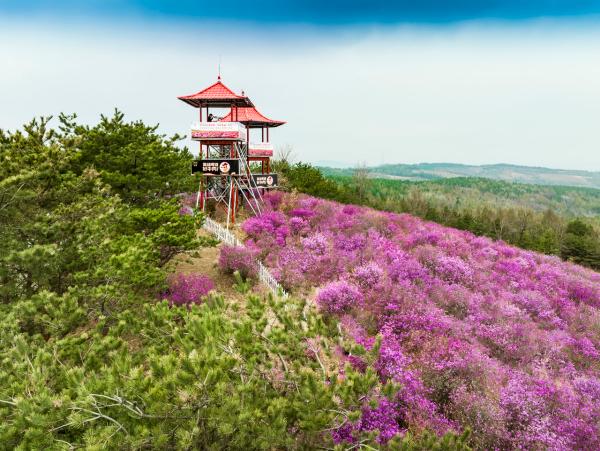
x,y
132,158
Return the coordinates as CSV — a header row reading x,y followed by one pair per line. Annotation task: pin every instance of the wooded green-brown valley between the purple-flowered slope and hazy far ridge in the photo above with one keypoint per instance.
x,y
556,220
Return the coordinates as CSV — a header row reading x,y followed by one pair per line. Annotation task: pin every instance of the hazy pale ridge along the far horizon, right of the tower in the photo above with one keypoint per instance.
x,y
506,172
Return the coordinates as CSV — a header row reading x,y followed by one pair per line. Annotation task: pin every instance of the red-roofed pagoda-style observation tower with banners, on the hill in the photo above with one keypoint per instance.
x,y
233,165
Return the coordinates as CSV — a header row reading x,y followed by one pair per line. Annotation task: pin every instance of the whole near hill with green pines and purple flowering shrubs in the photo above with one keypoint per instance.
x,y
123,326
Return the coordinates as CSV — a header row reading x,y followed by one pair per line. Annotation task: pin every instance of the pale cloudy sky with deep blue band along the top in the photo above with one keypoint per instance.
x,y
474,82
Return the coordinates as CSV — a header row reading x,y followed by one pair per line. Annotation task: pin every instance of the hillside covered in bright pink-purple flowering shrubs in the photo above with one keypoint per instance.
x,y
479,334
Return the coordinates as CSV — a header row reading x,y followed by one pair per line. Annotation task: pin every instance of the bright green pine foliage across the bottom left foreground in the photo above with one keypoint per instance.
x,y
170,378
